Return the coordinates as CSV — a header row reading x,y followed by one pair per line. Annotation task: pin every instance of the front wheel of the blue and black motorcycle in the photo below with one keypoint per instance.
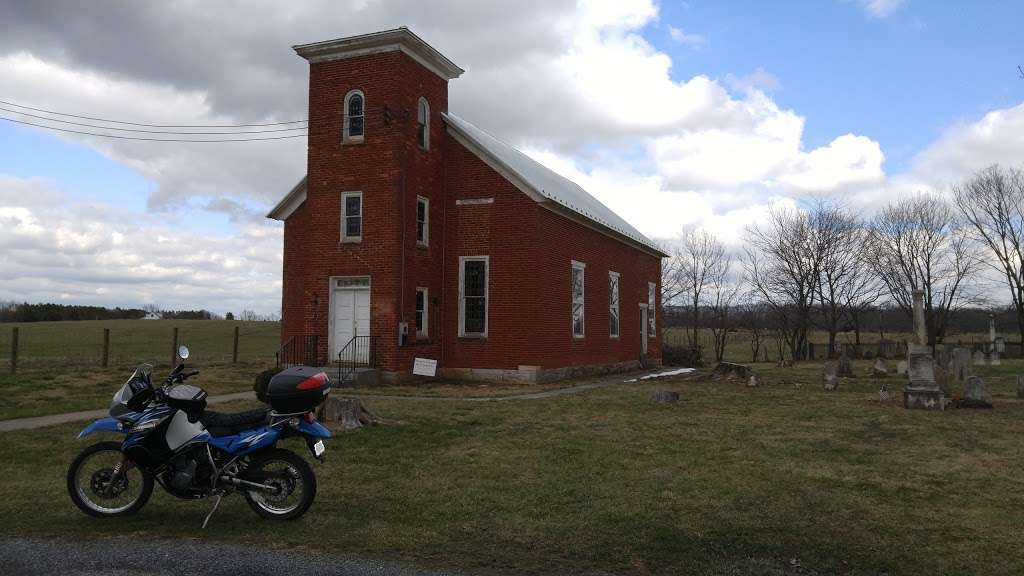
x,y
95,489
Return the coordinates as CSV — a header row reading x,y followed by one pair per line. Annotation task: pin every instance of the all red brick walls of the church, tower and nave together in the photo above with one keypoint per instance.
x,y
530,248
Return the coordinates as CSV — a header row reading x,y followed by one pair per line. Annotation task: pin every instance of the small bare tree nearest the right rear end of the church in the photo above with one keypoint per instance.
x,y
701,263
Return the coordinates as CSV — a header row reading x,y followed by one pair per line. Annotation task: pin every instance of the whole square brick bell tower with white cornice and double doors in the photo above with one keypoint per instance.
x,y
364,253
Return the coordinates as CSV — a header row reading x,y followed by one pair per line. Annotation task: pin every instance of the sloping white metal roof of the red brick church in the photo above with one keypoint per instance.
x,y
546,183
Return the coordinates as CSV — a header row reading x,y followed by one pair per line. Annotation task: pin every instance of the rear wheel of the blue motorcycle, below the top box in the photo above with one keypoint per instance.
x,y
294,479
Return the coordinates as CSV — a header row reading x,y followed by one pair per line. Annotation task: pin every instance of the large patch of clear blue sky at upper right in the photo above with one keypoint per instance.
x,y
902,79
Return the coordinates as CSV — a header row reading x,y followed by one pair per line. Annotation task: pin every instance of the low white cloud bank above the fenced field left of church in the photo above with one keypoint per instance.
x,y
56,249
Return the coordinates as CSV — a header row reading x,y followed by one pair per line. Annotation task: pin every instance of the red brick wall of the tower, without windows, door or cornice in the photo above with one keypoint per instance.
x,y
387,168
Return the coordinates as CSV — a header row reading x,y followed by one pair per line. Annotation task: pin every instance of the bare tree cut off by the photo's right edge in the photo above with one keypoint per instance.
x,y
993,204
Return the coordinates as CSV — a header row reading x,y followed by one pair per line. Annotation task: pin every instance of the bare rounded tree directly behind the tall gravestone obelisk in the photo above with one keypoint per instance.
x,y
918,243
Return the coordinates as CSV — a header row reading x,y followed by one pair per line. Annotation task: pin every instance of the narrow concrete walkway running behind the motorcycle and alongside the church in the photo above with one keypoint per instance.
x,y
54,420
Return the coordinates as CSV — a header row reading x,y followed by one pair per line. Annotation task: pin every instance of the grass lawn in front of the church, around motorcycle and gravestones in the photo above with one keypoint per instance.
x,y
730,481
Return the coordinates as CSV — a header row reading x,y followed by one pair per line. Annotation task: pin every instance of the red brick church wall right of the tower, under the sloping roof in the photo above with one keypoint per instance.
x,y
531,251
